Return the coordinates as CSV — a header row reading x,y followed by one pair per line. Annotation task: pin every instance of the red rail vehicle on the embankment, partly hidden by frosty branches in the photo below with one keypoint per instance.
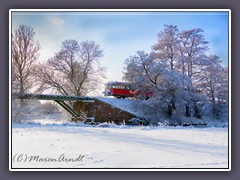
x,y
121,90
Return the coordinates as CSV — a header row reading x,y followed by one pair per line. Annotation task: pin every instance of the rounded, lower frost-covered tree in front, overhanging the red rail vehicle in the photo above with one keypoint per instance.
x,y
149,74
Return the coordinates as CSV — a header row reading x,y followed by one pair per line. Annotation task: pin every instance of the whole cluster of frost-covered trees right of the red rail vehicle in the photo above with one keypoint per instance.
x,y
184,79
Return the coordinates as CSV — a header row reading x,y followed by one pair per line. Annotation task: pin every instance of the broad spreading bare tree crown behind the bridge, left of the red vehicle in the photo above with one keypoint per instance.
x,y
74,70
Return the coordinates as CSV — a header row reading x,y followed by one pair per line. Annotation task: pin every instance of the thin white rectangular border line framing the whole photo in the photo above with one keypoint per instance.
x,y
120,10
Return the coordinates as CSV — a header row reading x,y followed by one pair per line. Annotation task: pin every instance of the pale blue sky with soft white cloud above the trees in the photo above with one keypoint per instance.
x,y
121,34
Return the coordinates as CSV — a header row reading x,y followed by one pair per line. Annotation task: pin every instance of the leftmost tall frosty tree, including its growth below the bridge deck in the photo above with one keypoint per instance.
x,y
24,53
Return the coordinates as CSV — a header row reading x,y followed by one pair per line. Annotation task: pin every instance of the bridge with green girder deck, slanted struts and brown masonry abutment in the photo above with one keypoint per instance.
x,y
94,109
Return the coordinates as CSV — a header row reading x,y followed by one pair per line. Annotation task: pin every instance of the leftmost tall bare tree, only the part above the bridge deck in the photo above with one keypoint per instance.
x,y
24,56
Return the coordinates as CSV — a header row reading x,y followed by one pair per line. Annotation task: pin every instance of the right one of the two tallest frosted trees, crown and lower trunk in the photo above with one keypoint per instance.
x,y
192,48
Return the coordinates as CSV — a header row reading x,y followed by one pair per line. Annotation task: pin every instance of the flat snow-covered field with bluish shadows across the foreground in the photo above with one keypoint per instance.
x,y
64,145
